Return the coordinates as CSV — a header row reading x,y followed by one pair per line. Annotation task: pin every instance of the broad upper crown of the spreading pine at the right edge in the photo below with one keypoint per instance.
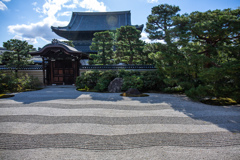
x,y
214,34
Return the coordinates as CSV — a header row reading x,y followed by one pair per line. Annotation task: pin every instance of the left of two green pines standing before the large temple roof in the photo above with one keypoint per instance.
x,y
103,43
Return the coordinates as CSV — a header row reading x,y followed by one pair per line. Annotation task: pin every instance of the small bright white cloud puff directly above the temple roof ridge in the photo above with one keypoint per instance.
x,y
93,5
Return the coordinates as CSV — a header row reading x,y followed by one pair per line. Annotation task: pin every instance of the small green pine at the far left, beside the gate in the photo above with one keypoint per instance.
x,y
18,55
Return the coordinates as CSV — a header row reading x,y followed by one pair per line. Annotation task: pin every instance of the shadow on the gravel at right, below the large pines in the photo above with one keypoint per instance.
x,y
227,117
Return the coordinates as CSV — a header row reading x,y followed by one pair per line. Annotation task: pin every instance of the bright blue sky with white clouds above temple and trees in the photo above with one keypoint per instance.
x,y
30,20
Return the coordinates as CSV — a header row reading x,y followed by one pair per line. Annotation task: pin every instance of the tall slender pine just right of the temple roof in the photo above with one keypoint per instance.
x,y
166,56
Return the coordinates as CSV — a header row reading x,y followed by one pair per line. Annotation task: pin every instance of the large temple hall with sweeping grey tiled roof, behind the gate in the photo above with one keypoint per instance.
x,y
83,25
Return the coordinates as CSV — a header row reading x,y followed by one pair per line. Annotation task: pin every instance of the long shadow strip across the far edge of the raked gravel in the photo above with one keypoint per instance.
x,y
222,116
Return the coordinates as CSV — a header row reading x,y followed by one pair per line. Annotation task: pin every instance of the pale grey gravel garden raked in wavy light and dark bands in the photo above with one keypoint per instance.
x,y
61,123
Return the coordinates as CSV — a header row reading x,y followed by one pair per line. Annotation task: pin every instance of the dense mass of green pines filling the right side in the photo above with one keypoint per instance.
x,y
201,54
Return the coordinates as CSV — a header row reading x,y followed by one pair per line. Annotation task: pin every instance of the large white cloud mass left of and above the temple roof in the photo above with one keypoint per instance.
x,y
50,11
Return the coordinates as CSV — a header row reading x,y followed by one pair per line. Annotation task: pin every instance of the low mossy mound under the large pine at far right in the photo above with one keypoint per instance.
x,y
220,101
